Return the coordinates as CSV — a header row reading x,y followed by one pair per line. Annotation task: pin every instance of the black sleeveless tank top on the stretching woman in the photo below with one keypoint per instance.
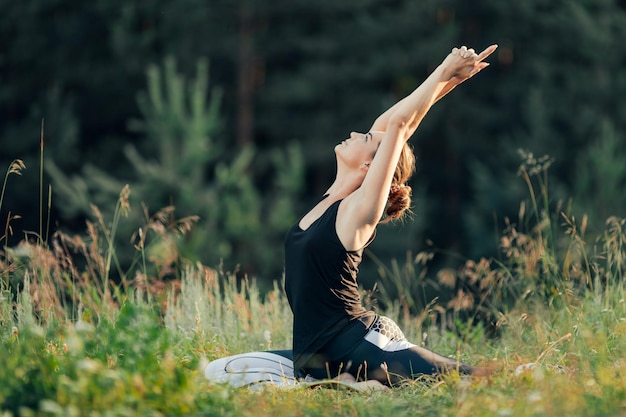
x,y
321,286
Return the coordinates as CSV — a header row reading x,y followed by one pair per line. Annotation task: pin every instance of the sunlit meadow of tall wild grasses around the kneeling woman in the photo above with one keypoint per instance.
x,y
81,337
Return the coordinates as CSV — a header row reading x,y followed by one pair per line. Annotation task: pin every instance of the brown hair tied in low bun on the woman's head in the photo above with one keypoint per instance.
x,y
399,200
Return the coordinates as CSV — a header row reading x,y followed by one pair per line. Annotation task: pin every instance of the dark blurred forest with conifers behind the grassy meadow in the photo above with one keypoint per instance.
x,y
229,111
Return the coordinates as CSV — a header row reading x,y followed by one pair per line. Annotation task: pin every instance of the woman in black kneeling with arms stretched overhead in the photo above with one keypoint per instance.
x,y
332,332
